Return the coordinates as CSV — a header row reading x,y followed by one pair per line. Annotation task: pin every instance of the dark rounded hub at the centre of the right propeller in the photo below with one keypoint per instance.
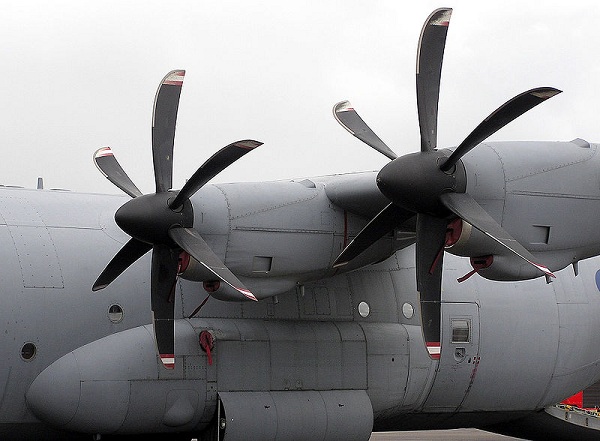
x,y
415,182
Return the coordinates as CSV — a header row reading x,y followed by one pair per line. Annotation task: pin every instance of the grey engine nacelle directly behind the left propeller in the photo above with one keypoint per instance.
x,y
297,216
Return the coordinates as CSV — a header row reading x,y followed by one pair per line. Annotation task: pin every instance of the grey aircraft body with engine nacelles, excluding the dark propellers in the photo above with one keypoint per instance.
x,y
507,348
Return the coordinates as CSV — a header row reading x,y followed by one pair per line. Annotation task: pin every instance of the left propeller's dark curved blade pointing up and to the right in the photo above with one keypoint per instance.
x,y
212,167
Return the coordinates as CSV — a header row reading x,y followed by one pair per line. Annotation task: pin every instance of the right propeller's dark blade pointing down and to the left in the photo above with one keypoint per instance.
x,y
385,221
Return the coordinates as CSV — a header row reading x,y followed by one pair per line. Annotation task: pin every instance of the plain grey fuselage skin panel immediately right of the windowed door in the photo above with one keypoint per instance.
x,y
518,351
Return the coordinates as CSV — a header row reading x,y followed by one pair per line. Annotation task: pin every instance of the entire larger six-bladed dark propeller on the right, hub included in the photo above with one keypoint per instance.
x,y
431,185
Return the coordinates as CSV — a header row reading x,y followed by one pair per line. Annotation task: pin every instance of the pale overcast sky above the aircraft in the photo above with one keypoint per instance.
x,y
79,75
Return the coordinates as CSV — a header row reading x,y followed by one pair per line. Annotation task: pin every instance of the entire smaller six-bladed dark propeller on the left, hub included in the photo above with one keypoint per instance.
x,y
163,221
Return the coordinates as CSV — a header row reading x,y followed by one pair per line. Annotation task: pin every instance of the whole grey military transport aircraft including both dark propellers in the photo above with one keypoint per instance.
x,y
413,297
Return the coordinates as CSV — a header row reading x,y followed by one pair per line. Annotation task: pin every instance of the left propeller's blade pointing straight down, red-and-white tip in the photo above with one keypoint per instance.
x,y
164,277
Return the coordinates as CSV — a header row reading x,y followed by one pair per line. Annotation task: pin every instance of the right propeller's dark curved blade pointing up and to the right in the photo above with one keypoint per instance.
x,y
504,114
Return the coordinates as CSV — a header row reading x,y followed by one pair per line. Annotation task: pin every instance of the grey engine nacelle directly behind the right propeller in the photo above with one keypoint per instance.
x,y
542,180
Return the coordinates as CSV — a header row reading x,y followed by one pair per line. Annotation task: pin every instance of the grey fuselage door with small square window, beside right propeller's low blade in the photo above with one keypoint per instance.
x,y
459,357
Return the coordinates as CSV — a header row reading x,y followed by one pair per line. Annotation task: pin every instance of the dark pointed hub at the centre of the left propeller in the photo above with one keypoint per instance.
x,y
148,218
